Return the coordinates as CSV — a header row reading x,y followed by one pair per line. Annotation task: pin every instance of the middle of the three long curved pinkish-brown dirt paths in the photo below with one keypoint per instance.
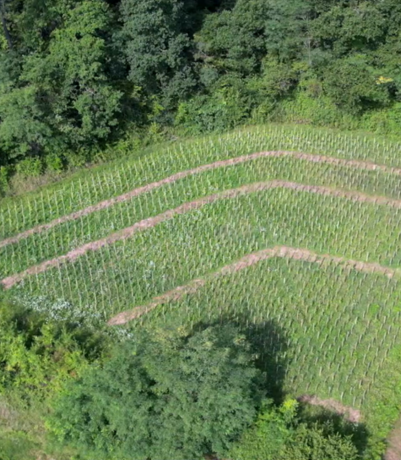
x,y
187,207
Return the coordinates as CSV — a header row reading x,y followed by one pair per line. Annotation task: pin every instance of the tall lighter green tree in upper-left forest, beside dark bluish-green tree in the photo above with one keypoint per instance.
x,y
75,74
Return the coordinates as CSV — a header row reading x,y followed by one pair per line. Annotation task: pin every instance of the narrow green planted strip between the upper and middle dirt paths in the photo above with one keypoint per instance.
x,y
64,237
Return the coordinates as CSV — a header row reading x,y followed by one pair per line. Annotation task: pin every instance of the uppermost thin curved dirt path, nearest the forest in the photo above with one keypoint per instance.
x,y
180,175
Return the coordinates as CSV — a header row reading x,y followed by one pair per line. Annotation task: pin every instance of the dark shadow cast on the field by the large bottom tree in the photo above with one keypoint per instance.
x,y
269,342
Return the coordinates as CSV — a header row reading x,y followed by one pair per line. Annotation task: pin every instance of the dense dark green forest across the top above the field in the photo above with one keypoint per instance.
x,y
78,74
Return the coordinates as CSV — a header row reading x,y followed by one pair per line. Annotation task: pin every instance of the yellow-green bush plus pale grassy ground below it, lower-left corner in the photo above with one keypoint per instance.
x,y
37,358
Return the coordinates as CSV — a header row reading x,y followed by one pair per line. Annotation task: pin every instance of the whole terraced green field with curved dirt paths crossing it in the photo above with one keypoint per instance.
x,y
293,232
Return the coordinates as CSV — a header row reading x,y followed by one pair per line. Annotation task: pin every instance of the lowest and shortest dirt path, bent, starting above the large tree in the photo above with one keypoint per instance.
x,y
247,261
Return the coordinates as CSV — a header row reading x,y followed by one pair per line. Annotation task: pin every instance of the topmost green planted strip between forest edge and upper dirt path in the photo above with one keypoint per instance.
x,y
21,213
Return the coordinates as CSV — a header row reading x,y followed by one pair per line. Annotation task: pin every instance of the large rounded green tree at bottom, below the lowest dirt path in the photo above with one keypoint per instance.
x,y
163,396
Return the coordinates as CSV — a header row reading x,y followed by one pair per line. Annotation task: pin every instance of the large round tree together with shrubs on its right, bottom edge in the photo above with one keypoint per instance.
x,y
171,394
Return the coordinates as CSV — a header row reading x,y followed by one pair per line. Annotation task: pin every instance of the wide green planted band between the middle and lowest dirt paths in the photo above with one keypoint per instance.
x,y
132,271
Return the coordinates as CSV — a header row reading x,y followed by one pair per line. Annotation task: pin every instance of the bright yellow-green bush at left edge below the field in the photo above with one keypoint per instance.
x,y
37,356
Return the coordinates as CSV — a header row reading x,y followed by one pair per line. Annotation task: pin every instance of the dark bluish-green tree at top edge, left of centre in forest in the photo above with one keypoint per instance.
x,y
156,33
